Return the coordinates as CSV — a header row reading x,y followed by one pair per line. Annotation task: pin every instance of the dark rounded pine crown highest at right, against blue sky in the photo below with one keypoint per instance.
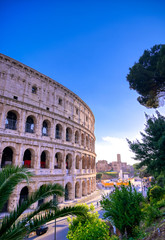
x,y
147,76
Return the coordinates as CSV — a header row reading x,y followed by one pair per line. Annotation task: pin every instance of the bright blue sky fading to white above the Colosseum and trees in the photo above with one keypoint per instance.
x,y
88,46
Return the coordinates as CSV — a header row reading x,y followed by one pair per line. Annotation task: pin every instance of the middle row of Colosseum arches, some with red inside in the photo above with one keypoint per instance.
x,y
29,158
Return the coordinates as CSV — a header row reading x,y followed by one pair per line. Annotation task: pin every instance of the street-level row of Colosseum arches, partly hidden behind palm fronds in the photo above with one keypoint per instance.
x,y
72,192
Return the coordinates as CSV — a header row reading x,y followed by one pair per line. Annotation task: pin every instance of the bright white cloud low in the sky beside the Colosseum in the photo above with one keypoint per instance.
x,y
109,147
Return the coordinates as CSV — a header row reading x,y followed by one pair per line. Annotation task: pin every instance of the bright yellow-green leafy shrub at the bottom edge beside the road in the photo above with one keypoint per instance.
x,y
89,227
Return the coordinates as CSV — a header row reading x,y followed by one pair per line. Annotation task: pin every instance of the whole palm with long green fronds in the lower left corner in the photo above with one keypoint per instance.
x,y
13,226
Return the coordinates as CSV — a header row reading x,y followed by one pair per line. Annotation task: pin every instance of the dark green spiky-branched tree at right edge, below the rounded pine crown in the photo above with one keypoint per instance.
x,y
150,151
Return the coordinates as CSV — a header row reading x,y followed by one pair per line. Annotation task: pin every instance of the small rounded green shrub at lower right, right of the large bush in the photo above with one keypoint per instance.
x,y
151,213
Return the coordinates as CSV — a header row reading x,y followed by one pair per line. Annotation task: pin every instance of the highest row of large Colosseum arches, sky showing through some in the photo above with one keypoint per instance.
x,y
82,139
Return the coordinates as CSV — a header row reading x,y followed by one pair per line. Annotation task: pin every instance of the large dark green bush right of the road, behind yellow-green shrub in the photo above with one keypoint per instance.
x,y
123,209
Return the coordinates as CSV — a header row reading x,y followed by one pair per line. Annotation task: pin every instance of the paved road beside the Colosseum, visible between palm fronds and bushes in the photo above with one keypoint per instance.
x,y
62,226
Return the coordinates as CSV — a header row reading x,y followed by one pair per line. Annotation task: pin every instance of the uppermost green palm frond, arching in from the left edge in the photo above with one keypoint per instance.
x,y
10,176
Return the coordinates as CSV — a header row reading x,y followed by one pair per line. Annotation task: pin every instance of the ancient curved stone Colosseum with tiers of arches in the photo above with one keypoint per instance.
x,y
48,129
